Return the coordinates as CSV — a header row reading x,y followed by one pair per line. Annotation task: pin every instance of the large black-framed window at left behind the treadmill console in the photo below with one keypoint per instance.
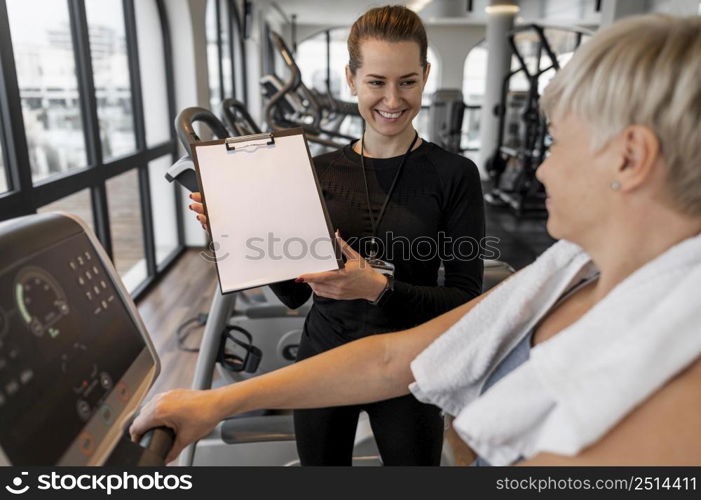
x,y
87,105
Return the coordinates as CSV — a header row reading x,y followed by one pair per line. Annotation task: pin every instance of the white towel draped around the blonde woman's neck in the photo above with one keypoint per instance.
x,y
580,383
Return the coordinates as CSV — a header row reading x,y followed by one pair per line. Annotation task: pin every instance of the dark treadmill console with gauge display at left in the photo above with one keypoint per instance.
x,y
75,359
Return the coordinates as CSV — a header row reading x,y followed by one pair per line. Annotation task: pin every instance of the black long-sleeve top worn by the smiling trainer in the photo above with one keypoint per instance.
x,y
437,200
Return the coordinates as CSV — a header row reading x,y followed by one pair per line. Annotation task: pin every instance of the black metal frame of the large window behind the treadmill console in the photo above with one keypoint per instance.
x,y
25,197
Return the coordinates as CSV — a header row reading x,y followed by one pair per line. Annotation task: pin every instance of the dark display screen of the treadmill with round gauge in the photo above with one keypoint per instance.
x,y
66,340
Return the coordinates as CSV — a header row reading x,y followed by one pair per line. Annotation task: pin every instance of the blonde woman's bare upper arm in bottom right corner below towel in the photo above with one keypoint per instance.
x,y
664,430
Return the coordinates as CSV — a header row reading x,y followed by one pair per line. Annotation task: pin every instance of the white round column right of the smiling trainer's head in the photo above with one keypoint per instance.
x,y
500,20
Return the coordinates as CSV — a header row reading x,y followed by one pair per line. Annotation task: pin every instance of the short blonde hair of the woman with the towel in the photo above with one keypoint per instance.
x,y
643,70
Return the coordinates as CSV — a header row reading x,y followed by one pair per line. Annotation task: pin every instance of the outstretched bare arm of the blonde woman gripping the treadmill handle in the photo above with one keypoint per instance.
x,y
370,369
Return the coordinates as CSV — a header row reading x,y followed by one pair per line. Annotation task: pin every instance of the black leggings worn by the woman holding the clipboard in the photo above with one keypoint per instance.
x,y
407,431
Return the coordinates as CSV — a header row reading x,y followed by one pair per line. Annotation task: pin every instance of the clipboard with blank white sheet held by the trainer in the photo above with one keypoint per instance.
x,y
267,219
